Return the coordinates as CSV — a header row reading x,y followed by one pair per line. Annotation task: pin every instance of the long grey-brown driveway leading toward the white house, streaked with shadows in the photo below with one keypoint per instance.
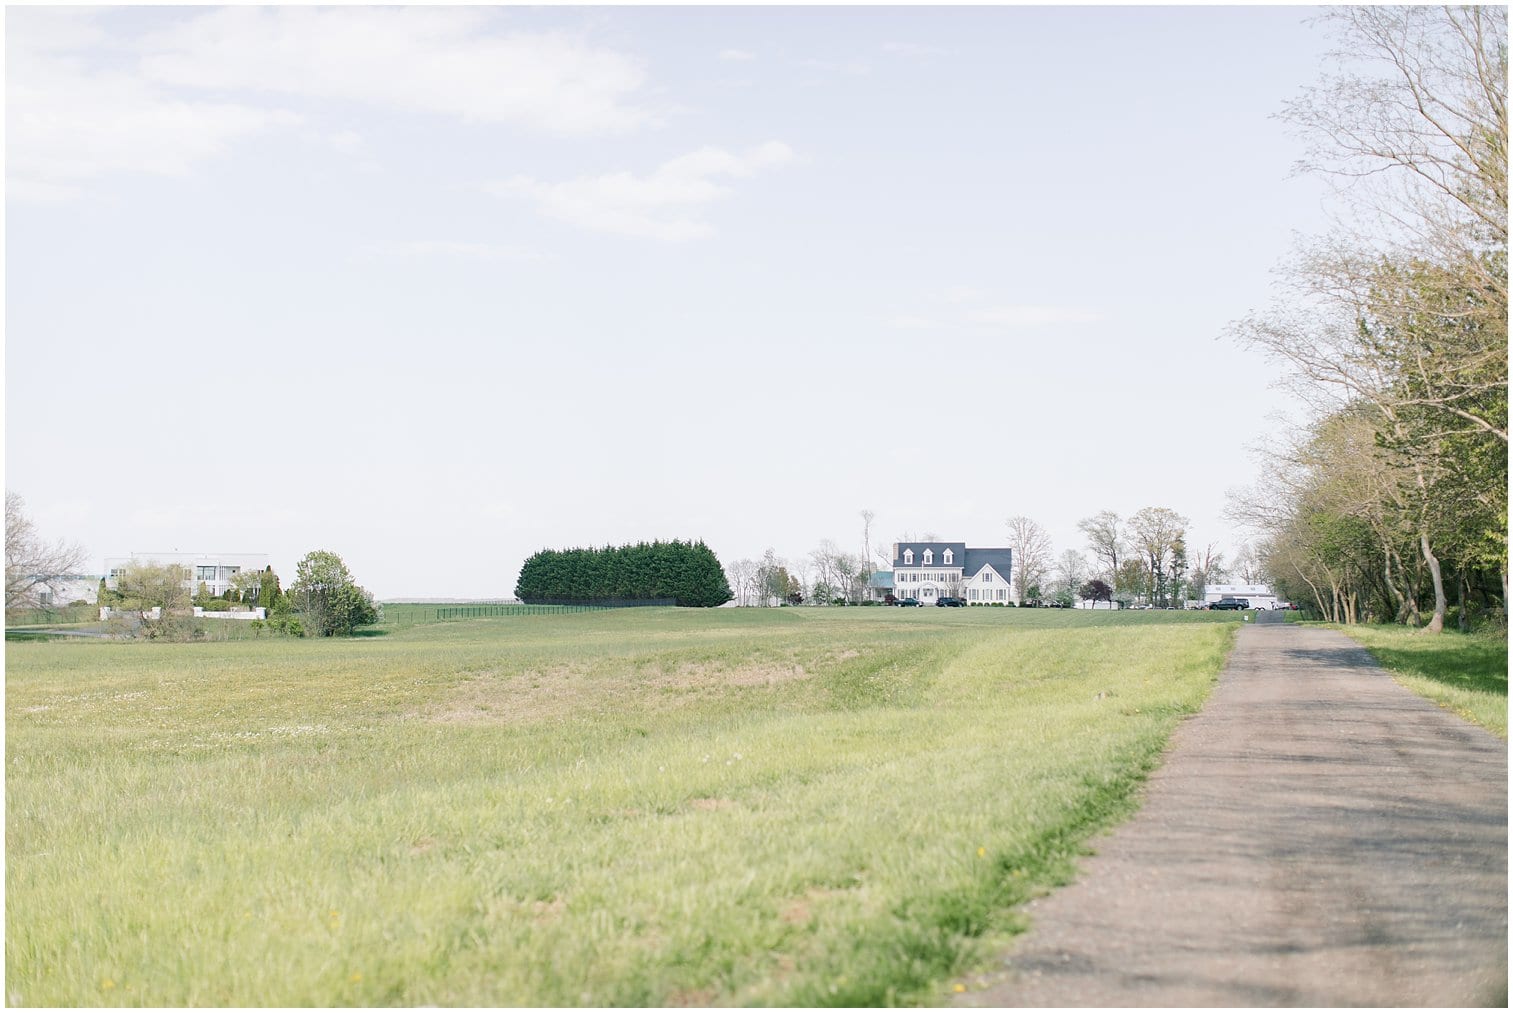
x,y
1317,837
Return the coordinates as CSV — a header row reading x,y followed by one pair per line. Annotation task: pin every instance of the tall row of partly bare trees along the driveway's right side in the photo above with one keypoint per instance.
x,y
1391,506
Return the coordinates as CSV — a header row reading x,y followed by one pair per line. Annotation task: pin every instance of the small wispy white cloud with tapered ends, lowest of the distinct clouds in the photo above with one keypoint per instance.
x,y
657,206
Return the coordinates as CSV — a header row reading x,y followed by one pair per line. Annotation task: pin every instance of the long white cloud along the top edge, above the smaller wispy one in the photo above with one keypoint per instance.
x,y
426,60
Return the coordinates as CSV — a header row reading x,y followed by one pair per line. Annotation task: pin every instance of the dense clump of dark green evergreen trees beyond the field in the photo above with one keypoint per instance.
x,y
680,571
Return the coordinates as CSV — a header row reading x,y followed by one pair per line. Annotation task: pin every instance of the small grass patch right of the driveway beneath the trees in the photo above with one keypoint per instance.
x,y
1467,674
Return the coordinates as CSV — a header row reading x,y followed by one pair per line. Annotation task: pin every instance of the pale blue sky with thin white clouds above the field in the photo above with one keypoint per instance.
x,y
438,288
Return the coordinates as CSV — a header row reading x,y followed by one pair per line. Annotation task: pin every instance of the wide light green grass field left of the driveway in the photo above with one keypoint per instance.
x,y
647,808
